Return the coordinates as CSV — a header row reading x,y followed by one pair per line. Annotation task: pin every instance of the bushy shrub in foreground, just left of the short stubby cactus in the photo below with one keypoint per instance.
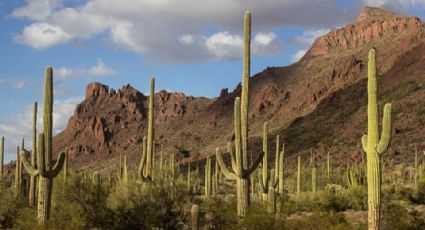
x,y
151,205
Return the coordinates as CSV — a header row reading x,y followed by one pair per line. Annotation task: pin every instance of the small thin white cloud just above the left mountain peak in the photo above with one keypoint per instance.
x,y
100,69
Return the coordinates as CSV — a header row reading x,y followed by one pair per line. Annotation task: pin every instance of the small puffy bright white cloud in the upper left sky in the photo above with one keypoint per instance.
x,y
42,35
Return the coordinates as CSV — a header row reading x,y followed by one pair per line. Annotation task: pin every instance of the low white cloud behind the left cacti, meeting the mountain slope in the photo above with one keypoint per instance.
x,y
20,125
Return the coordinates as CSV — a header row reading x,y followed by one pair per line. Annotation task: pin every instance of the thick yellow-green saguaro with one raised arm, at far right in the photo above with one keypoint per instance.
x,y
374,145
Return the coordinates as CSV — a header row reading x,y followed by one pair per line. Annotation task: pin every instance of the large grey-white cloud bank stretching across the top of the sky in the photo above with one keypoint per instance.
x,y
163,30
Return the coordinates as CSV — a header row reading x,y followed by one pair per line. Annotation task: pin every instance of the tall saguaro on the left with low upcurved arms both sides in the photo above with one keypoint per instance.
x,y
45,168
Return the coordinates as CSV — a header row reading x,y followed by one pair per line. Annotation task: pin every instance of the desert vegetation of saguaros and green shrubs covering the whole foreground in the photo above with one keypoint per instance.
x,y
227,190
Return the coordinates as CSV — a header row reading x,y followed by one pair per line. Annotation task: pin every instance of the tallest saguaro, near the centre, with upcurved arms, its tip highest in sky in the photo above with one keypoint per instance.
x,y
241,170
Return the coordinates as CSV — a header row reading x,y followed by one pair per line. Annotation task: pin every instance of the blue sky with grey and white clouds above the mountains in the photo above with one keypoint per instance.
x,y
190,46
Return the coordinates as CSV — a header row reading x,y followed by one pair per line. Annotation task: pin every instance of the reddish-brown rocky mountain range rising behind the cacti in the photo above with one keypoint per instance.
x,y
318,102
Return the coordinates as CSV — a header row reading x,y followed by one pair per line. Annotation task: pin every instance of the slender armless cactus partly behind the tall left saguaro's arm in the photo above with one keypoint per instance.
x,y
33,179
